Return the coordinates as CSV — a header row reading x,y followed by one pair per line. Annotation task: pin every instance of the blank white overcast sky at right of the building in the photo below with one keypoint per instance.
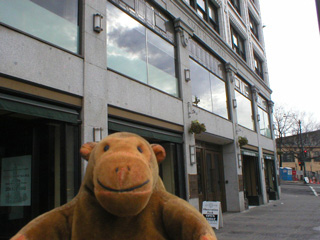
x,y
292,43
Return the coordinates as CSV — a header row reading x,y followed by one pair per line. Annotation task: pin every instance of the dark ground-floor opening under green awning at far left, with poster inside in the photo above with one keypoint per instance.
x,y
39,168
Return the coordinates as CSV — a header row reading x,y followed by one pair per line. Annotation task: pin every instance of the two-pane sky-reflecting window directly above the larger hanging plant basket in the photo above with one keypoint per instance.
x,y
209,89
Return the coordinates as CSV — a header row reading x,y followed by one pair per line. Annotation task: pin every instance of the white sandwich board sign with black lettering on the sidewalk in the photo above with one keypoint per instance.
x,y
212,212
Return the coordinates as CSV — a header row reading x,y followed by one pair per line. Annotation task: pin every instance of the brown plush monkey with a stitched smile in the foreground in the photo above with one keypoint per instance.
x,y
121,197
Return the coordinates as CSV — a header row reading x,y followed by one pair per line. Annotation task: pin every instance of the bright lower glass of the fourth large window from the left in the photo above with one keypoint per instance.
x,y
244,111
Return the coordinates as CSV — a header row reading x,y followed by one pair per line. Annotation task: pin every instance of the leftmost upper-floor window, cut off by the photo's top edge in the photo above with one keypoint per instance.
x,y
208,11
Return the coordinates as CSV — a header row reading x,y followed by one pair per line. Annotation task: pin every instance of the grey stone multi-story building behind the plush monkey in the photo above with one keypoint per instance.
x,y
74,71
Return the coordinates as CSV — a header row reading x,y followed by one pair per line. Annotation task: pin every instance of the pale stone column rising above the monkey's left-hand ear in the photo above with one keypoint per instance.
x,y
94,111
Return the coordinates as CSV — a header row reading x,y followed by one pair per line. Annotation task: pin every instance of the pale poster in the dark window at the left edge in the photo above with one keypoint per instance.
x,y
16,181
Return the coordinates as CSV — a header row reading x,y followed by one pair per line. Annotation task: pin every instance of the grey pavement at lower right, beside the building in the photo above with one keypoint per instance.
x,y
295,216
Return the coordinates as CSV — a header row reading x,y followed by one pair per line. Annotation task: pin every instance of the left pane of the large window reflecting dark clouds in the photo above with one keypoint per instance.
x,y
126,49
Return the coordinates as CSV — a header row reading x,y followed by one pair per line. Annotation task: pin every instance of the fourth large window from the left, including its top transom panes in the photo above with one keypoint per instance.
x,y
244,104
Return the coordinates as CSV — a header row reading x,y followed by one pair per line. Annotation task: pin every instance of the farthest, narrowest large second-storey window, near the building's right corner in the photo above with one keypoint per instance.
x,y
264,117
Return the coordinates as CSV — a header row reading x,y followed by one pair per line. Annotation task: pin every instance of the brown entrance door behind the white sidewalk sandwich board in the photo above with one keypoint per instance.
x,y
210,177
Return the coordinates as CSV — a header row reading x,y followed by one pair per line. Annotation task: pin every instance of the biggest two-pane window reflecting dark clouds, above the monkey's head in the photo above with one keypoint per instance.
x,y
138,52
